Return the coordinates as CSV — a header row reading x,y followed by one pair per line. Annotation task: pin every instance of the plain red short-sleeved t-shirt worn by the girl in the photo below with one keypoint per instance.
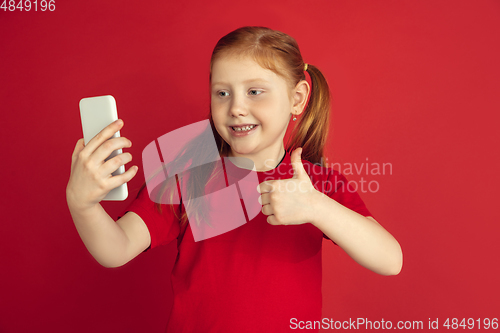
x,y
255,278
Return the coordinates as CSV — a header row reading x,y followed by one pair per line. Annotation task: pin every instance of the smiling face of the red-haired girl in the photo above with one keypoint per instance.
x,y
245,94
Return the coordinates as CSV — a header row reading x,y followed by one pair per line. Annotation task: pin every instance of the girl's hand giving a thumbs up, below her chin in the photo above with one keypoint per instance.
x,y
289,201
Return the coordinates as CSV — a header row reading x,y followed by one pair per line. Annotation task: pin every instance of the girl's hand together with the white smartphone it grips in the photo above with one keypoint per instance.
x,y
97,169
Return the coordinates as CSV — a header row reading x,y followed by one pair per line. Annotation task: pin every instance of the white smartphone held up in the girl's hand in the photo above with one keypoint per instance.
x,y
97,113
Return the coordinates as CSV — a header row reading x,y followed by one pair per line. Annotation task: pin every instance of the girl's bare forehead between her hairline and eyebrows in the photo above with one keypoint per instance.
x,y
241,69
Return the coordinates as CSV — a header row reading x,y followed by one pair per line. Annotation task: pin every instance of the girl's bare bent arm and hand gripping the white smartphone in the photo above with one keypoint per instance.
x,y
111,243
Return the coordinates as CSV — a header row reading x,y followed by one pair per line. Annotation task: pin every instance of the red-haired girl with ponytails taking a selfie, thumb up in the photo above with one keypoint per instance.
x,y
264,276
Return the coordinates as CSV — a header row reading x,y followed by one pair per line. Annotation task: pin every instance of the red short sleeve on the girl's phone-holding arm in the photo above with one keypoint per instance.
x,y
163,227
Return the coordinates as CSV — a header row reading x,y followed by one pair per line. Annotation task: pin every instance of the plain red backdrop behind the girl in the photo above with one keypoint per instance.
x,y
414,84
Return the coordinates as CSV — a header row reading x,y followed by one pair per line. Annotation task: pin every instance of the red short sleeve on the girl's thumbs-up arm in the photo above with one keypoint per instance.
x,y
344,193
